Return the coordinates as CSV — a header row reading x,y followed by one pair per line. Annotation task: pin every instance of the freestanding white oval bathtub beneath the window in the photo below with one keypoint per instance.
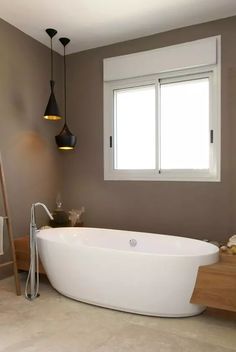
x,y
130,271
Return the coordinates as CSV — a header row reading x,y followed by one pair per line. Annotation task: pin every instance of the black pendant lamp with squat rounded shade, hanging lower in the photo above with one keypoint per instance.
x,y
65,140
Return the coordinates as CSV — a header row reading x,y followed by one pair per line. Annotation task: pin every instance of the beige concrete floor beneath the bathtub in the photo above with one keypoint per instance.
x,y
54,323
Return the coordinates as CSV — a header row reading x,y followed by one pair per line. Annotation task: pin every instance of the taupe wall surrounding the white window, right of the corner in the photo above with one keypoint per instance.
x,y
198,209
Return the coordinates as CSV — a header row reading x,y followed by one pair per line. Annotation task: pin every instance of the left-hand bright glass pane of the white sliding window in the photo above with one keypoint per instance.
x,y
134,128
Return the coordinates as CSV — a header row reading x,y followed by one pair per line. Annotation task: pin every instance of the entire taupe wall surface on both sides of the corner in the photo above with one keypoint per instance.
x,y
36,171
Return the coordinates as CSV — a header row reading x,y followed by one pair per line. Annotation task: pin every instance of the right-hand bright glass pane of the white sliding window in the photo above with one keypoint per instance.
x,y
185,124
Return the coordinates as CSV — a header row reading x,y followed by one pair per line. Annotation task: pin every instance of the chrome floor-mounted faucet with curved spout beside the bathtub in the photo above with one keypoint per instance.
x,y
34,261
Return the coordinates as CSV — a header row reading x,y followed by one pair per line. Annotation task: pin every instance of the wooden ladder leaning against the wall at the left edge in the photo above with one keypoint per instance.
x,y
9,230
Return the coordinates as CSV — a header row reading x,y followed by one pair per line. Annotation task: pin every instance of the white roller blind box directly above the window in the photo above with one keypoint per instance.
x,y
176,57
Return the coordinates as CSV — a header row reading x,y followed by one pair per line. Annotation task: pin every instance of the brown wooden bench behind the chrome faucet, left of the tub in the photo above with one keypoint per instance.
x,y
23,254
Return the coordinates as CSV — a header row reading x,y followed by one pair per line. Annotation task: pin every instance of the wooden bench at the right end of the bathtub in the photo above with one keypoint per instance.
x,y
216,284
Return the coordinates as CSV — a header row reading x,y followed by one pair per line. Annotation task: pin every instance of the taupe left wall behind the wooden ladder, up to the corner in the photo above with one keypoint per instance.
x,y
27,145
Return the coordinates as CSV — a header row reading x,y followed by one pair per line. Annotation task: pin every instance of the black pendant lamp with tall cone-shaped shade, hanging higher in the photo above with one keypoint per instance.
x,y
52,111
